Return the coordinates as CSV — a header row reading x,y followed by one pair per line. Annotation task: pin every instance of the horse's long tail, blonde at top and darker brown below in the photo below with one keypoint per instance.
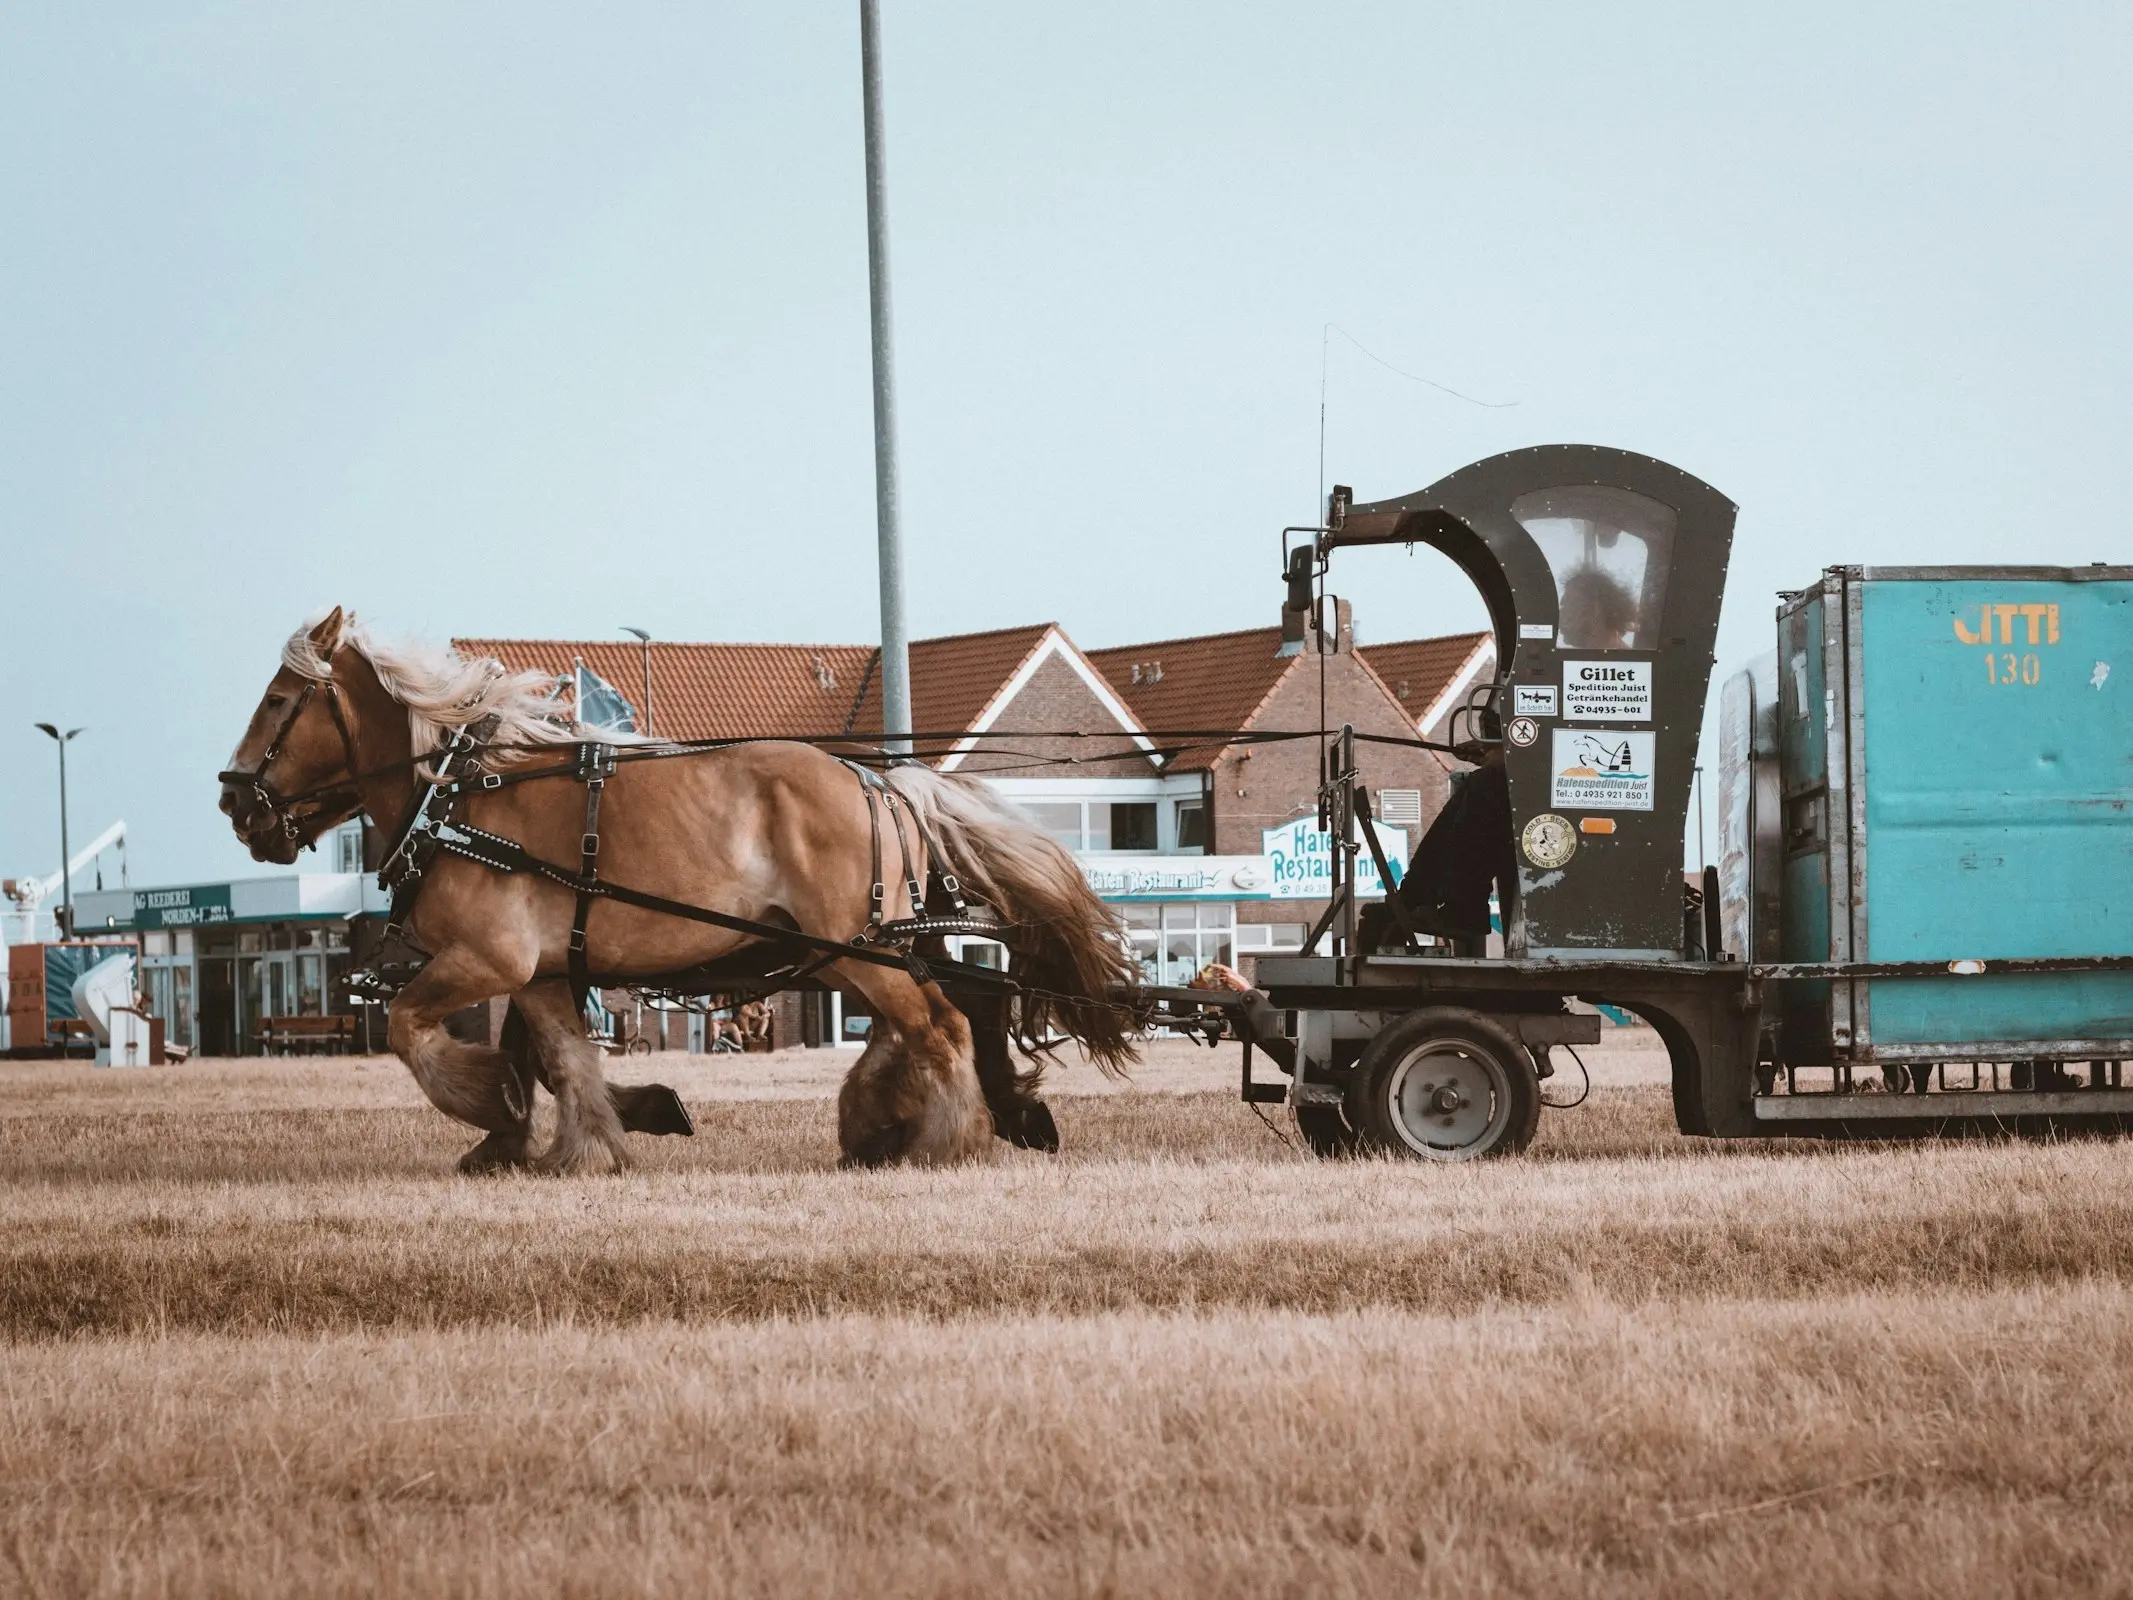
x,y
1063,938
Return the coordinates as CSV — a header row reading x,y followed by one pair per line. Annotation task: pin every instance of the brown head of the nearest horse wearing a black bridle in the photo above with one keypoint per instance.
x,y
293,775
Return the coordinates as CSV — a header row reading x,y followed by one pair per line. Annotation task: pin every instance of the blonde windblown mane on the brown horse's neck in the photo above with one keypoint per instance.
x,y
445,692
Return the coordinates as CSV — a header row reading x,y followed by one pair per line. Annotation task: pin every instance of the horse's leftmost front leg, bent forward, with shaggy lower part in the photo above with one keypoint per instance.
x,y
470,1083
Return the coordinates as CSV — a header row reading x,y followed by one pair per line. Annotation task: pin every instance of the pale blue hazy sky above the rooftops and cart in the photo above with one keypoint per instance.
x,y
547,319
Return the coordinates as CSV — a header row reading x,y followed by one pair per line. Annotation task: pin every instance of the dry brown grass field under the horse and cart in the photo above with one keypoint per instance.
x,y
261,1341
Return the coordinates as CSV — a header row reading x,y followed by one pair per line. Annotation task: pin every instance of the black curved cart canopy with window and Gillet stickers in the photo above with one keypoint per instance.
x,y
1603,575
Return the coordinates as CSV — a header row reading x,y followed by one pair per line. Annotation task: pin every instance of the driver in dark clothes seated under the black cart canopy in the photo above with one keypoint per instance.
x,y
1466,850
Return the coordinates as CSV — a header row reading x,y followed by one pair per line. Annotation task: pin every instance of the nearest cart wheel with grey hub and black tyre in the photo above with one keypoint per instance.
x,y
1447,1085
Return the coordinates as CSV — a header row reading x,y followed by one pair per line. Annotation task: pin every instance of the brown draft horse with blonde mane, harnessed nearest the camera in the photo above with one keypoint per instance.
x,y
775,833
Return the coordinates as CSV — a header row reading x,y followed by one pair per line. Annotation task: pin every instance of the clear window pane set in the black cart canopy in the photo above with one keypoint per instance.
x,y
1611,551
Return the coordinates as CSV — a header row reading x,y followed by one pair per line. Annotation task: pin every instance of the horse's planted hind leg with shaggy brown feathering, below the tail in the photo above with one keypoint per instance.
x,y
914,1095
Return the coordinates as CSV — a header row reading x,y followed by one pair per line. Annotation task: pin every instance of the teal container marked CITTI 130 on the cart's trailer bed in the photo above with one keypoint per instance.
x,y
1955,784
